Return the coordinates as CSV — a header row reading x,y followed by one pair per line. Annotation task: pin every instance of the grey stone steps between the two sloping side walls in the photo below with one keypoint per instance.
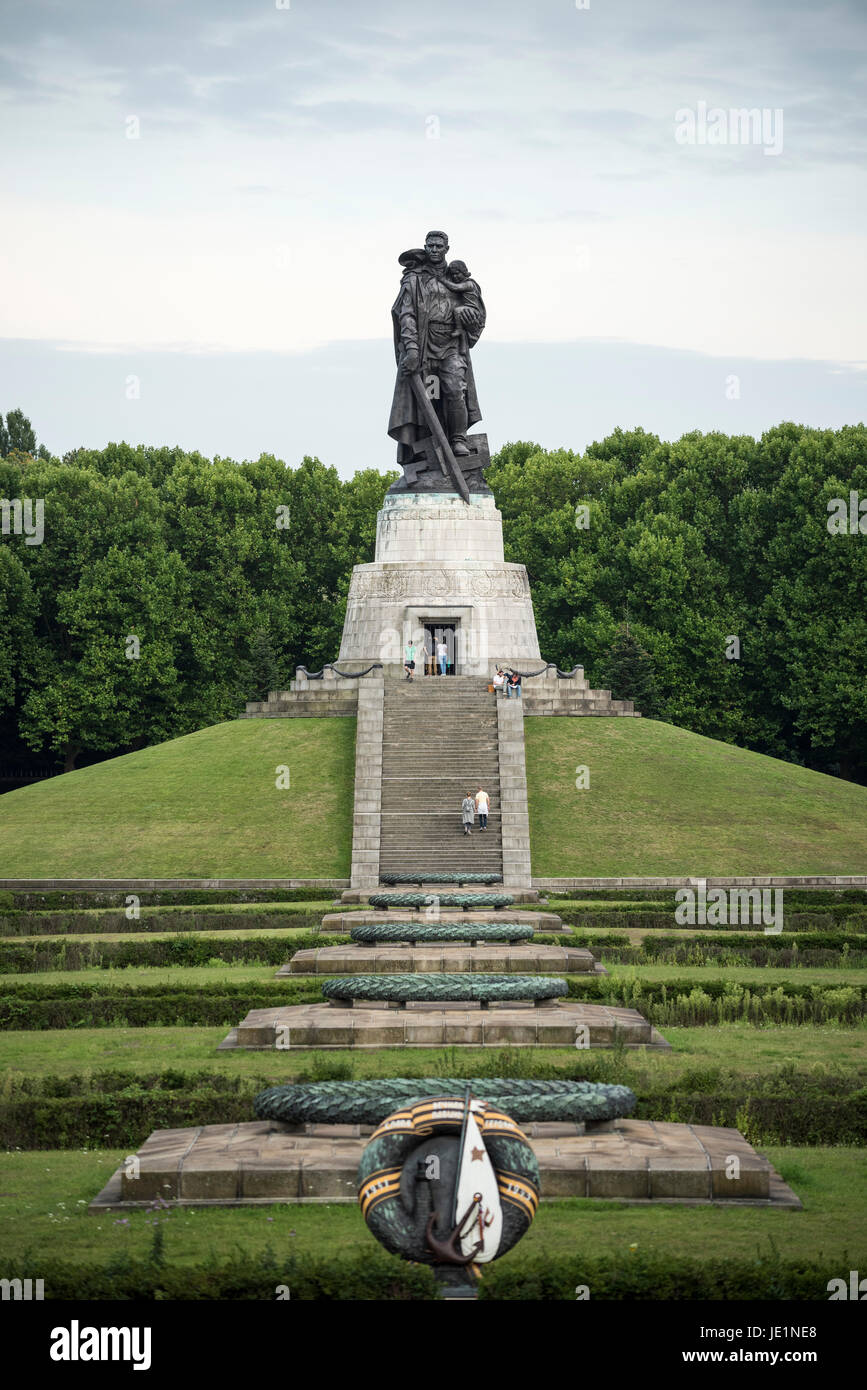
x,y
440,740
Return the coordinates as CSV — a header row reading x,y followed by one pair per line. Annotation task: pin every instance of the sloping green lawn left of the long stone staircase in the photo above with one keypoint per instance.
x,y
199,807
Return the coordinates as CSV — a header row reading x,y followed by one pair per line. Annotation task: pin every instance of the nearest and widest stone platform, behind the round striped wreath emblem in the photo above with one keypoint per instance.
x,y
263,1163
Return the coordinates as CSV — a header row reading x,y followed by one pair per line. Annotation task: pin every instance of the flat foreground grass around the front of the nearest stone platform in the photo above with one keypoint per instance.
x,y
45,1195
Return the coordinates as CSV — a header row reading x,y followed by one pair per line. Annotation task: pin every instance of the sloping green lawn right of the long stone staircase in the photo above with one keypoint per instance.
x,y
663,801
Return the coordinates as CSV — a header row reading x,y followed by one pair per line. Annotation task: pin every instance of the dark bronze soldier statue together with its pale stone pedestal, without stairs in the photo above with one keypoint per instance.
x,y
440,572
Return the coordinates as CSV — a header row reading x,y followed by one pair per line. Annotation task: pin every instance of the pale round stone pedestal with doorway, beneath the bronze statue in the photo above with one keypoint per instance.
x,y
440,561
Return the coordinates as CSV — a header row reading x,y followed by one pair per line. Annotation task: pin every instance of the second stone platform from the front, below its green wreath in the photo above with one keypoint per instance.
x,y
327,1027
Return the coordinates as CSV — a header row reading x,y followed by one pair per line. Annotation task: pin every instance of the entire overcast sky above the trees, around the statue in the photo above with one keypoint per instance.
x,y
284,158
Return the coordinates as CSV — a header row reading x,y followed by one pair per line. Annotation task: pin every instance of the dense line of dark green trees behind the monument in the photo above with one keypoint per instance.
x,y
700,578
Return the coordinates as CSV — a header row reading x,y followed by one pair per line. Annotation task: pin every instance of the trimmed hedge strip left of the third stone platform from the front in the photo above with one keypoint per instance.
x,y
58,954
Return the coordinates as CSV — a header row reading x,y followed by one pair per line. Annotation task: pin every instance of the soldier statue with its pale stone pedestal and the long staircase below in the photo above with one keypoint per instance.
x,y
441,598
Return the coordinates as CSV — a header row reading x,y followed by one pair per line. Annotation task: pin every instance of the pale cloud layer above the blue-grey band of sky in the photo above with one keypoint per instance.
x,y
284,161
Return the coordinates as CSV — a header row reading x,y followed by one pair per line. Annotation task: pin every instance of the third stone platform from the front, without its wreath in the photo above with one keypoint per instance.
x,y
452,960
